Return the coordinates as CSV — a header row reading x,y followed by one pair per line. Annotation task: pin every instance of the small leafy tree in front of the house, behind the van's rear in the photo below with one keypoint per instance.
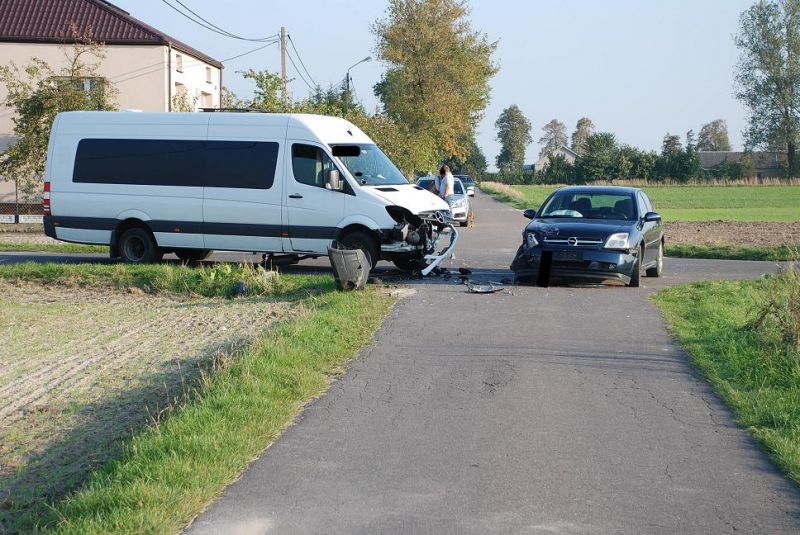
x,y
37,93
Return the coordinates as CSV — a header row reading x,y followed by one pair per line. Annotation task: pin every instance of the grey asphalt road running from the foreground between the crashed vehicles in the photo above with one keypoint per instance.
x,y
536,410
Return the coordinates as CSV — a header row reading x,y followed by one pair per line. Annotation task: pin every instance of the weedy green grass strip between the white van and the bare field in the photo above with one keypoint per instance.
x,y
219,279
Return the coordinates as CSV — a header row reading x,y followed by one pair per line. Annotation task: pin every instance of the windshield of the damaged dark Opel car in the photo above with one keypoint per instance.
x,y
589,205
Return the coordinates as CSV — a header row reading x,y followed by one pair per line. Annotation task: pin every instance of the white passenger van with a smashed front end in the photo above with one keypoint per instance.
x,y
287,185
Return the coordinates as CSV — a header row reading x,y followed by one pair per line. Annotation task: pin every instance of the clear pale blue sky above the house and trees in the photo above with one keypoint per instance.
x,y
637,68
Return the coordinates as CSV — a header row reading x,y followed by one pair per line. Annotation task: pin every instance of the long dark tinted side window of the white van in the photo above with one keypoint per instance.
x,y
189,163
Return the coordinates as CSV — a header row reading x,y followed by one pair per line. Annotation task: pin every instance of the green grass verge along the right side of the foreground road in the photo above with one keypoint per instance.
x,y
756,371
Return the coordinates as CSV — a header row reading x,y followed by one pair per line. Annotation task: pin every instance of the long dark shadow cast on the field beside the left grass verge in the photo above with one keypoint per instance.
x,y
97,437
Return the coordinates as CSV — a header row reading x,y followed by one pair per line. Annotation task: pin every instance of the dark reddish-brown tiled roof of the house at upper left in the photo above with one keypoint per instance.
x,y
49,21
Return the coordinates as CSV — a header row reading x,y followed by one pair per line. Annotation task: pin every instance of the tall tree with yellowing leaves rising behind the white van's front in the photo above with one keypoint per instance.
x,y
439,69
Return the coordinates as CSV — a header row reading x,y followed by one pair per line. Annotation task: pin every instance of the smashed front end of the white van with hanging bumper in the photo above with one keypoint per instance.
x,y
418,236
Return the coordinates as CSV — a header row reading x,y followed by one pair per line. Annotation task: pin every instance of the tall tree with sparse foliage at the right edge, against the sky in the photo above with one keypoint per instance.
x,y
768,75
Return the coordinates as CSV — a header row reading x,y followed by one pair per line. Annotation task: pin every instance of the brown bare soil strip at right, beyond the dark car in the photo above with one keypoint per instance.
x,y
748,234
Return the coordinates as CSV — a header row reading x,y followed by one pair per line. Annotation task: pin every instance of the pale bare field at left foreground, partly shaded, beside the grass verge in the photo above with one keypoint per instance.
x,y
80,370
